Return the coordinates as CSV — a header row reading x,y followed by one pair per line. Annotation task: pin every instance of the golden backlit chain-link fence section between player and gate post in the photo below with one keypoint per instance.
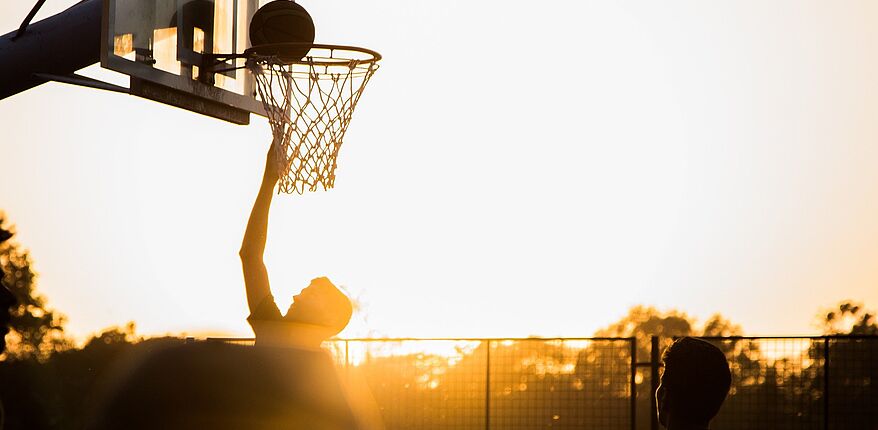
x,y
496,383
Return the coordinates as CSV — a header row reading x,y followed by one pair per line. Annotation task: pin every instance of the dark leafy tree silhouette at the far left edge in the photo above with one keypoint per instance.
x,y
36,330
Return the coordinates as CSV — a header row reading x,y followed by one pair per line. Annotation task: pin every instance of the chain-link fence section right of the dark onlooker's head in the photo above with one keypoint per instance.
x,y
801,383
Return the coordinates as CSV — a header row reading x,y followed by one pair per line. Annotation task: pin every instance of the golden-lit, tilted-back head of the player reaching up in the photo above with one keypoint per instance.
x,y
321,304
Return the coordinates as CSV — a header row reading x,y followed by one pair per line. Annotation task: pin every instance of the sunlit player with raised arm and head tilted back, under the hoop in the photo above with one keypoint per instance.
x,y
317,313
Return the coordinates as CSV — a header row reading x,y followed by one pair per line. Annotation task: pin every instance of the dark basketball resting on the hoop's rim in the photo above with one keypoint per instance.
x,y
282,21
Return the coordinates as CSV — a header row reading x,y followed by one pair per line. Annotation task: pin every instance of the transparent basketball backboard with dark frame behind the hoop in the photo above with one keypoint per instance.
x,y
160,44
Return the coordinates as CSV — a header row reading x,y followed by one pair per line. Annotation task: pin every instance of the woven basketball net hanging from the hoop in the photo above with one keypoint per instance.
x,y
309,104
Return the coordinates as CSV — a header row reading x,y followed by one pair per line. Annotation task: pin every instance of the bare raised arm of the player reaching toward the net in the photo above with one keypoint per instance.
x,y
253,245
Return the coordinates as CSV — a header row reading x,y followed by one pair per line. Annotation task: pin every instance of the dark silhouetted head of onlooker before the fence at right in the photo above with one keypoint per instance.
x,y
695,382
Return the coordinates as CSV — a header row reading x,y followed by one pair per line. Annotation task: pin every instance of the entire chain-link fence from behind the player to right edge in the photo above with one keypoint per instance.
x,y
603,383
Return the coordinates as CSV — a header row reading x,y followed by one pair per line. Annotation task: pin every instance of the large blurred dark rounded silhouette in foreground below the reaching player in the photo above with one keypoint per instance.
x,y
216,386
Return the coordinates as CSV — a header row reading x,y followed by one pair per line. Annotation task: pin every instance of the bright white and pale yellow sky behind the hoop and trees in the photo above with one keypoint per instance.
x,y
515,168
